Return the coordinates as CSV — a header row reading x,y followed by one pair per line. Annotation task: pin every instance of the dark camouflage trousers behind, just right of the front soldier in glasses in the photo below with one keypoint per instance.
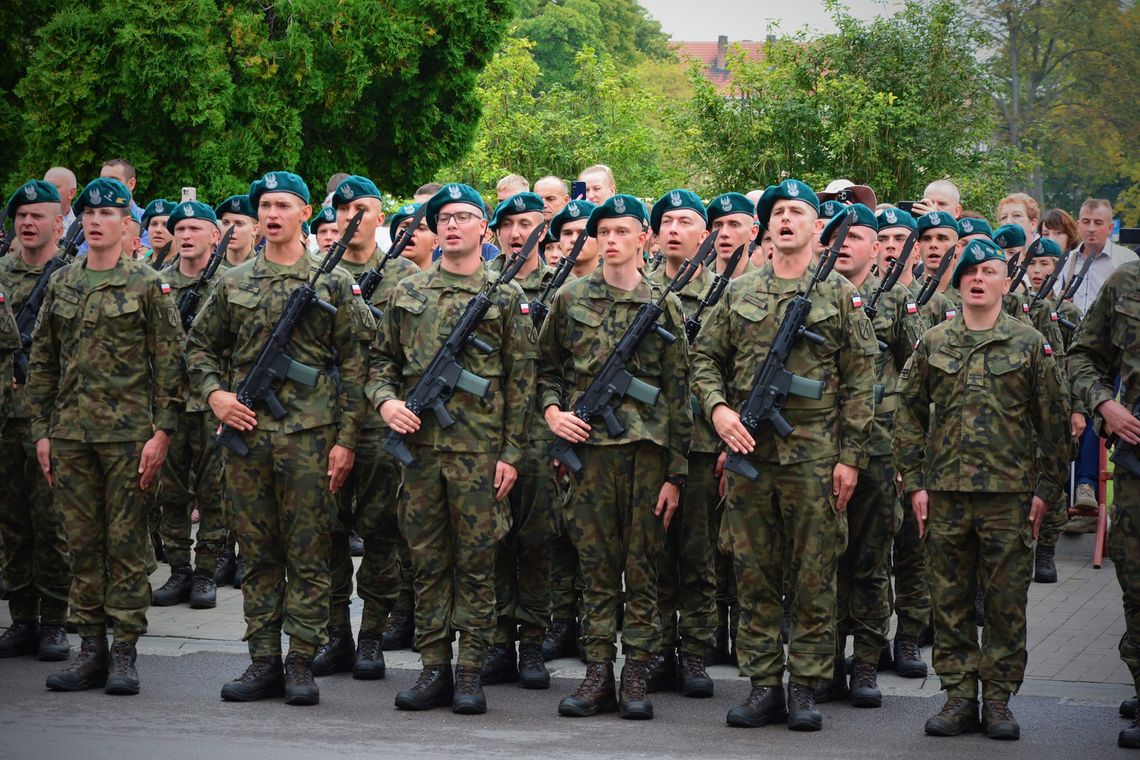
x,y
523,559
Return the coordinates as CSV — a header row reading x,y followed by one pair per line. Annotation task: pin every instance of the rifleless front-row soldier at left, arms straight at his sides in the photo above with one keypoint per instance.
x,y
102,437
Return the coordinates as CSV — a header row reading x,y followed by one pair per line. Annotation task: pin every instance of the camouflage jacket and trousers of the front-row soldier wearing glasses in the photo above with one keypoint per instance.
x,y
447,508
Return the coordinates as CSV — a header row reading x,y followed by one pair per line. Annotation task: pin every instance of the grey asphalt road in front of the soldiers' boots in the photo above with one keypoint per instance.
x,y
181,716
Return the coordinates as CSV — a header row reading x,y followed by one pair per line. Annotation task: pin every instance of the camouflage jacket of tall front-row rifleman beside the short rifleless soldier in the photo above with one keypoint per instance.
x,y
738,337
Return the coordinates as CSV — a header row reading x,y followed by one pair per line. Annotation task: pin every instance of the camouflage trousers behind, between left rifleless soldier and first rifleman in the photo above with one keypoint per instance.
x,y
192,475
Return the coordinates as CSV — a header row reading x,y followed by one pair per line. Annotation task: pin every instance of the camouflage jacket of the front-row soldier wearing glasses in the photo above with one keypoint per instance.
x,y
419,316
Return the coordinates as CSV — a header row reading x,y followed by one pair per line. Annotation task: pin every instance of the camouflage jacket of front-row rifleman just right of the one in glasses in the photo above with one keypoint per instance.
x,y
588,320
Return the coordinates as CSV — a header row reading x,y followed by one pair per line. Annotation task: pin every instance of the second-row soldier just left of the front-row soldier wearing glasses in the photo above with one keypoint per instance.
x,y
368,501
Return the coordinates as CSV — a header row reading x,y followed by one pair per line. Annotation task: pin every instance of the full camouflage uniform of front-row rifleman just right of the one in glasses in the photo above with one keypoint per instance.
x,y
610,512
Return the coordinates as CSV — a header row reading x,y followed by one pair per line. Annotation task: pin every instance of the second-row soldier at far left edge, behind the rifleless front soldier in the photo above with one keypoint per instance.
x,y
36,547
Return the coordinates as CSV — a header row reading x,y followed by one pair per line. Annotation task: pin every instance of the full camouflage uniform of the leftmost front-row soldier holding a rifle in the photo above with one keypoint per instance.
x,y
280,493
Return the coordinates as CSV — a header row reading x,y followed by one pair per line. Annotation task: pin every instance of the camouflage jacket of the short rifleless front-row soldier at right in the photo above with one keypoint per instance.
x,y
968,401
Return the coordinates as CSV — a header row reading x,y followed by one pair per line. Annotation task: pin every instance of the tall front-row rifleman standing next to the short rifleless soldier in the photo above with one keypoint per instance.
x,y
795,510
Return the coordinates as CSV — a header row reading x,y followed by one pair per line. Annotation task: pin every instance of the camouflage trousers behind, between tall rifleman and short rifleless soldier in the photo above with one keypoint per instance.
x,y
862,599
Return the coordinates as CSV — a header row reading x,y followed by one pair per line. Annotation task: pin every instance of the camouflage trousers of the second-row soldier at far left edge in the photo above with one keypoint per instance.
x,y
36,562
